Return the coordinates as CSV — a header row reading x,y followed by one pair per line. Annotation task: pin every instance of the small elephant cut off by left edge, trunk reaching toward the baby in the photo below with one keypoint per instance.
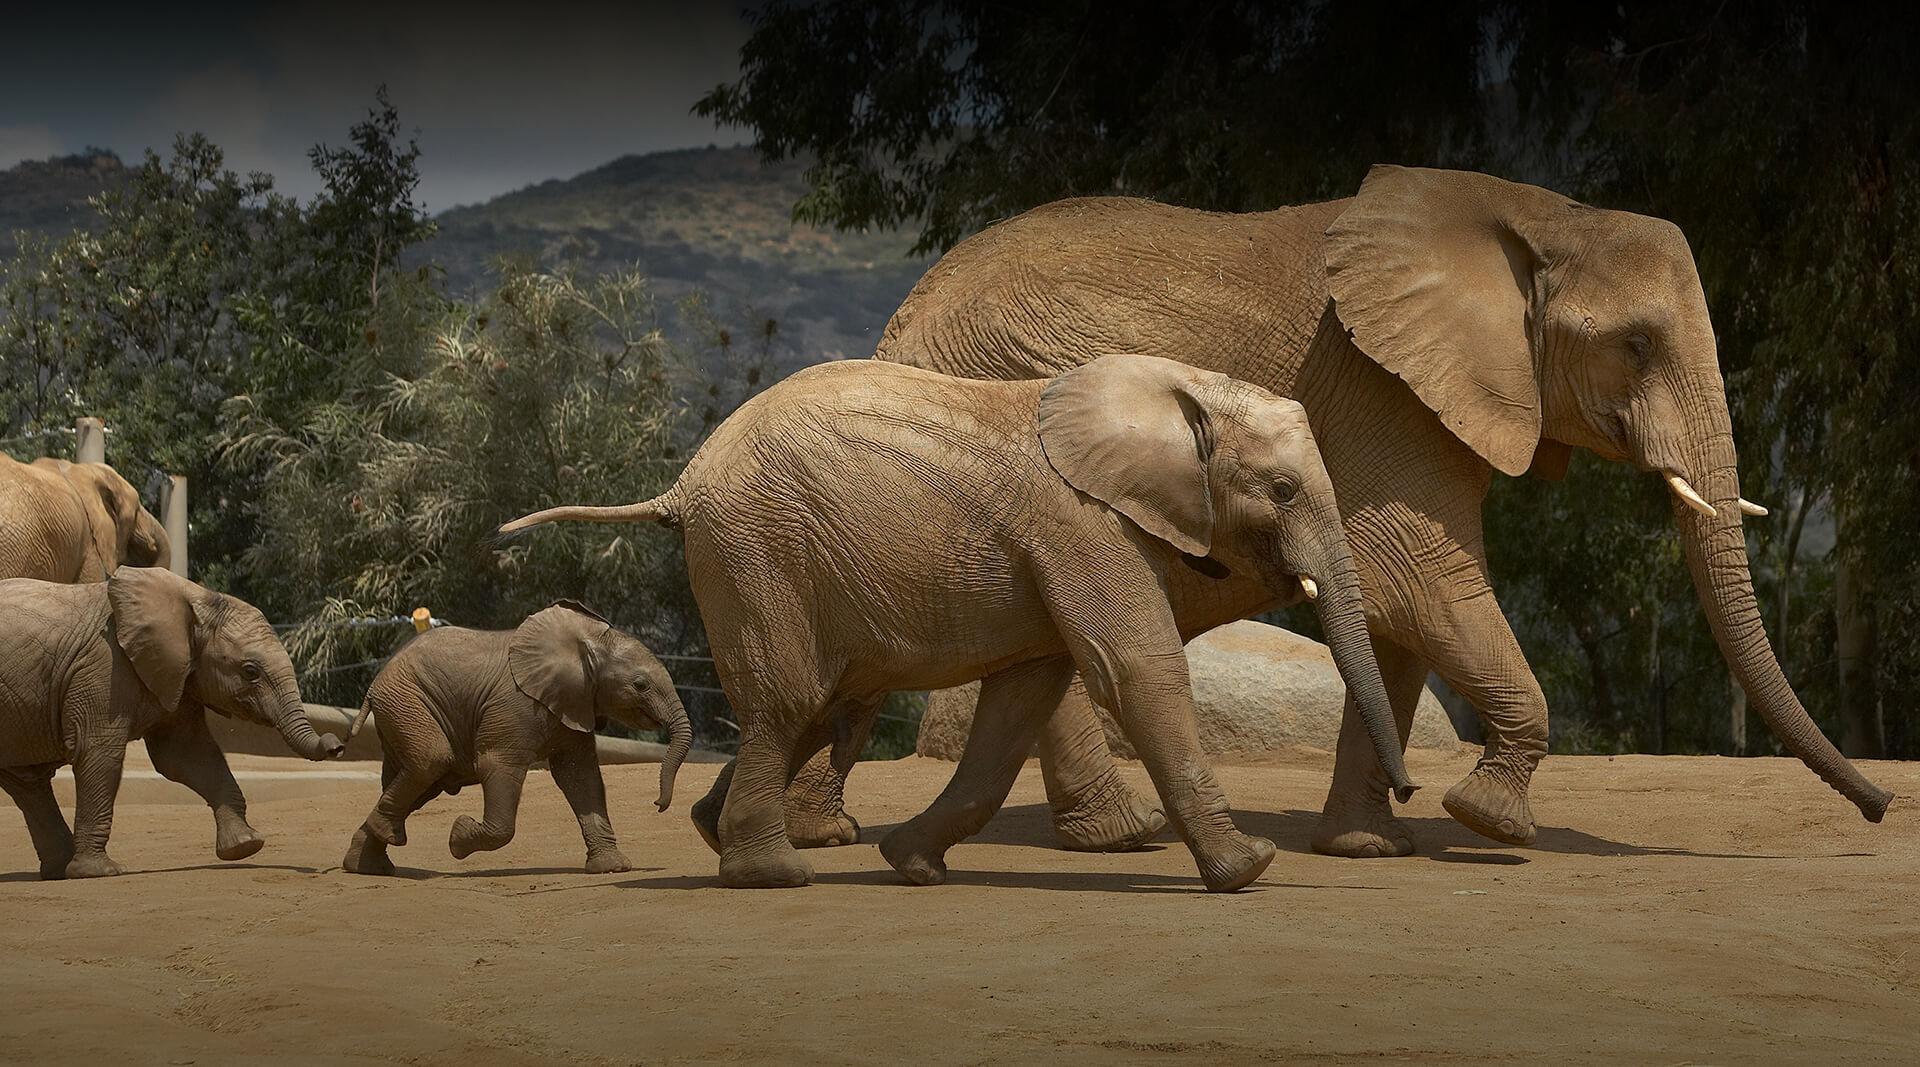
x,y
141,655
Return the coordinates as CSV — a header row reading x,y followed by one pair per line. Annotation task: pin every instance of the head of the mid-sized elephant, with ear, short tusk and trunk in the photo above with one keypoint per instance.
x,y
1232,477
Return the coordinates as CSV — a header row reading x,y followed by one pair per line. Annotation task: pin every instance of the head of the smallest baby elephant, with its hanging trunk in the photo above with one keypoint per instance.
x,y
581,669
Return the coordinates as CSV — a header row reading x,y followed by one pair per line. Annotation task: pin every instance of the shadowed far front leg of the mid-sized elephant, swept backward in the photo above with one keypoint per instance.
x,y
1005,730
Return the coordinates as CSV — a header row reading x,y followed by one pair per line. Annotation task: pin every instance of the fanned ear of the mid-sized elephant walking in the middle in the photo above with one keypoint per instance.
x,y
1134,433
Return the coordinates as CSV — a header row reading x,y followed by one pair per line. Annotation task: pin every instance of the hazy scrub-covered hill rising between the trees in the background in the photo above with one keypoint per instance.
x,y
711,220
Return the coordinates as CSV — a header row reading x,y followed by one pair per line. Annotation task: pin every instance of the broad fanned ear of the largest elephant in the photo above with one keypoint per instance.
x,y
1437,279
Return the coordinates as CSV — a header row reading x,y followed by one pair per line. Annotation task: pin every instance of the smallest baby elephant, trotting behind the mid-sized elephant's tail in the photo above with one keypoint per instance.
x,y
462,707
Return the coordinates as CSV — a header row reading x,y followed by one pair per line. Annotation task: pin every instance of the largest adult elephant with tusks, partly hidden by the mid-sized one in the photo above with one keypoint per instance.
x,y
1437,327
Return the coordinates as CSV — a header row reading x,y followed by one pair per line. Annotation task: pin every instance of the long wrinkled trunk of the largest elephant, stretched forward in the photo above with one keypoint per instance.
x,y
1717,557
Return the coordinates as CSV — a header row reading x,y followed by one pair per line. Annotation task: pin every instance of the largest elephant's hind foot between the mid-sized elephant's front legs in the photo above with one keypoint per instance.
x,y
1093,809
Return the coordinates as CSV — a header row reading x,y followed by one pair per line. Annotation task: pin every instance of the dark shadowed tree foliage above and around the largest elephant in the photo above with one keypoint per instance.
x,y
1779,135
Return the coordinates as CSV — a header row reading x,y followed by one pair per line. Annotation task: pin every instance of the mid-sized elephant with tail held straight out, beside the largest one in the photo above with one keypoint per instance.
x,y
863,529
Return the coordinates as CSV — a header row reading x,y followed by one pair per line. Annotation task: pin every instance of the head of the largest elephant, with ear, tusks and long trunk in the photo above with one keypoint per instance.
x,y
1531,323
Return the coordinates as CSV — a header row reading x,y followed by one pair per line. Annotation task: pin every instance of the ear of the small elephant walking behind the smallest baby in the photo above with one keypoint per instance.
x,y
160,623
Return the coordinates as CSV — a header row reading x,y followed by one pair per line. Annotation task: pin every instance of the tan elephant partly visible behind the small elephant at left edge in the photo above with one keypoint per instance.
x,y
74,523
